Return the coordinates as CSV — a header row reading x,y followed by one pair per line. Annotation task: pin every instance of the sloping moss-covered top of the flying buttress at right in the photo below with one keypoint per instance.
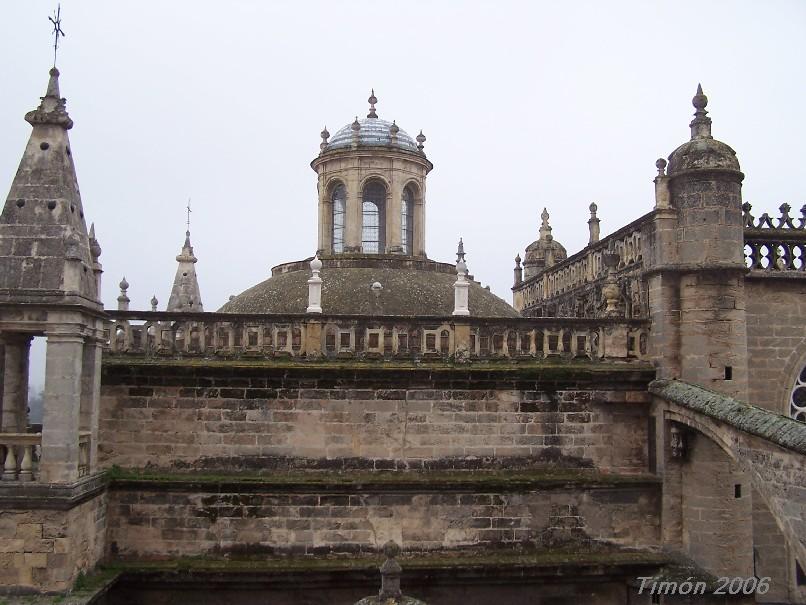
x,y
778,429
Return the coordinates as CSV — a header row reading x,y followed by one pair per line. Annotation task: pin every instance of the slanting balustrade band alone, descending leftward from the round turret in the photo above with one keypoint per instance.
x,y
588,266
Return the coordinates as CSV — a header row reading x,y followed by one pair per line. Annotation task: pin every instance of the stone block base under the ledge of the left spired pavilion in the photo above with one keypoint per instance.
x,y
43,550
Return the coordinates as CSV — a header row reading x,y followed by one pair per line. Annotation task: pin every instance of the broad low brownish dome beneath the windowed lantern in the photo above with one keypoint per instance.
x,y
409,287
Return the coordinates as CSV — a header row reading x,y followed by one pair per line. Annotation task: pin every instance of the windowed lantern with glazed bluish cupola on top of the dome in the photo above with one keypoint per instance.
x,y
371,189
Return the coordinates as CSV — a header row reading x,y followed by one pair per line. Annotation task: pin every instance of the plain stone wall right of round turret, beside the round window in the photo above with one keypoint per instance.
x,y
776,339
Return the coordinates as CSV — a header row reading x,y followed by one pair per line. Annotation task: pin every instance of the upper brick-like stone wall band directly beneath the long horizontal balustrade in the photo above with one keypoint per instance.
x,y
245,417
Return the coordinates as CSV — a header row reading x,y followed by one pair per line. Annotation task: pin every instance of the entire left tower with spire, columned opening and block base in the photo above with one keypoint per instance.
x,y
49,286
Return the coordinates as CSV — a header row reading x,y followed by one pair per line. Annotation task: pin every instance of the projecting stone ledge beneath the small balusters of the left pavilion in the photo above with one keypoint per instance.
x,y
51,496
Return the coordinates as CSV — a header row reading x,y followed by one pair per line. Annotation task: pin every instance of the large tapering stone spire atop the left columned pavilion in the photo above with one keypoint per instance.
x,y
45,250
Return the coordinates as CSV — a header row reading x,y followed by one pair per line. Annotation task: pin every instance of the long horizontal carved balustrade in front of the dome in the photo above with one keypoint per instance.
x,y
229,335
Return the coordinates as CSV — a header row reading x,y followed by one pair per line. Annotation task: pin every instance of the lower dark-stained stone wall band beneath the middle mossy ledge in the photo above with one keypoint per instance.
x,y
164,519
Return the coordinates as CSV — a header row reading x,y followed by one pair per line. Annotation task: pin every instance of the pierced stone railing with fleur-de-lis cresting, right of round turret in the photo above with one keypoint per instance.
x,y
775,245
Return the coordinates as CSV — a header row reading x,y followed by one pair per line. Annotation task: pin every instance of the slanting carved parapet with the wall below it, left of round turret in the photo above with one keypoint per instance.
x,y
571,288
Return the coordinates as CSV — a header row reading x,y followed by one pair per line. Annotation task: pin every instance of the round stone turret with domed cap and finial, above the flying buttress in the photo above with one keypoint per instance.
x,y
701,240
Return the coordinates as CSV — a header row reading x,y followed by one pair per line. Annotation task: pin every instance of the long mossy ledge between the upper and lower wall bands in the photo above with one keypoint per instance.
x,y
491,481
